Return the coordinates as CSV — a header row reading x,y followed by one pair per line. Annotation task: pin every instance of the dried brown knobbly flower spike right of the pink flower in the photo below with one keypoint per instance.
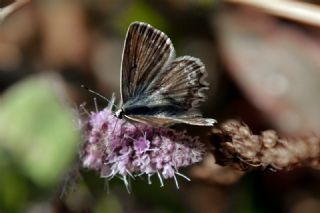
x,y
236,146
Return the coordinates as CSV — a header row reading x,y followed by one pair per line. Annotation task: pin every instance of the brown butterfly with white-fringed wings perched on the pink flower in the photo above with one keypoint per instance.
x,y
157,88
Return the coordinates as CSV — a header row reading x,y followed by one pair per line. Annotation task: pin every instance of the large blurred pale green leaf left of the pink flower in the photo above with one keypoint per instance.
x,y
37,129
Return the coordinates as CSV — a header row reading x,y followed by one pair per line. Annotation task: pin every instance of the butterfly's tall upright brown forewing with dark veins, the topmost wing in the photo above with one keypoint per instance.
x,y
146,52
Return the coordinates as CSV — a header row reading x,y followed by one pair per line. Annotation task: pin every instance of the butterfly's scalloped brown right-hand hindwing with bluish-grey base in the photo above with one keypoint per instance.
x,y
177,91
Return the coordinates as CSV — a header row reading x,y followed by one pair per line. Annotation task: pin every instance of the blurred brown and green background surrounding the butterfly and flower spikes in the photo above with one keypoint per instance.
x,y
262,58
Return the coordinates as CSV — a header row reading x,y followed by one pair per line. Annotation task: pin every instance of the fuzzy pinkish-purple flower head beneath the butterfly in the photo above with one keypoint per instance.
x,y
116,147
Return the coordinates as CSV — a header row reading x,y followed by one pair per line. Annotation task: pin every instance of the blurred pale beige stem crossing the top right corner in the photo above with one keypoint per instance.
x,y
298,11
